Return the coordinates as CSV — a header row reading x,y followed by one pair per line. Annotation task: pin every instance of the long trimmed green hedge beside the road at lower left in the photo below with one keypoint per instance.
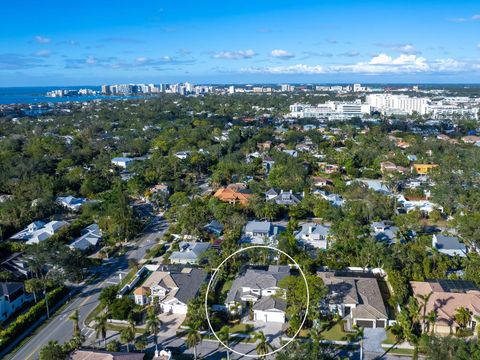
x,y
27,319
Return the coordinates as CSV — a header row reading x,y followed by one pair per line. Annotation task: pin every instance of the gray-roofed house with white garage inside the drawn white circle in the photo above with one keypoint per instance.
x,y
257,286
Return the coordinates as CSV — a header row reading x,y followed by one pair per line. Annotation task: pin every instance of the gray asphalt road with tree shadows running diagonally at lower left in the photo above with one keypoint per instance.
x,y
60,328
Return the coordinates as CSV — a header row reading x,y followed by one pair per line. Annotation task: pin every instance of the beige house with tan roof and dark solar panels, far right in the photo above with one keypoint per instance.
x,y
448,296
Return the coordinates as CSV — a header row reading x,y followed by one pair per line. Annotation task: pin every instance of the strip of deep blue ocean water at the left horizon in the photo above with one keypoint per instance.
x,y
33,95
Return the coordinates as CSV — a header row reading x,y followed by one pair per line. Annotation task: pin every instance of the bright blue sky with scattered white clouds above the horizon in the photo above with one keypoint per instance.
x,y
94,42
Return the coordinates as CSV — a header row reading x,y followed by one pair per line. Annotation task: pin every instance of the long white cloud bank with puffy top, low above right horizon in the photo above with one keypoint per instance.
x,y
380,64
